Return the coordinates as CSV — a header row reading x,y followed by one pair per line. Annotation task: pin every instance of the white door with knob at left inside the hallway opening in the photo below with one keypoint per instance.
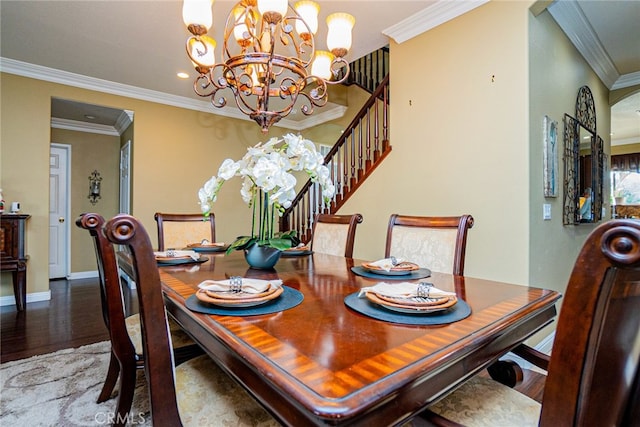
x,y
59,161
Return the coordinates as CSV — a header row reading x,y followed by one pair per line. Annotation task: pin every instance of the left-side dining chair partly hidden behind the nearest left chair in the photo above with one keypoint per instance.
x,y
124,331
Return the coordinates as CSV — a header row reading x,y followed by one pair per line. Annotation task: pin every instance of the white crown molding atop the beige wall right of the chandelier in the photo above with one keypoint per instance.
x,y
430,17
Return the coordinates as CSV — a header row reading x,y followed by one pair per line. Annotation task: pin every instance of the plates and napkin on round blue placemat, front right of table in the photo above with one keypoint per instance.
x,y
415,303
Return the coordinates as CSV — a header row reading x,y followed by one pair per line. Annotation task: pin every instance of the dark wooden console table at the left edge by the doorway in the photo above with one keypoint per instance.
x,y
12,254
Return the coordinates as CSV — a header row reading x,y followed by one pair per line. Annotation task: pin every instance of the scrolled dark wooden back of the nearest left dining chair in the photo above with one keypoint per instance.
x,y
126,230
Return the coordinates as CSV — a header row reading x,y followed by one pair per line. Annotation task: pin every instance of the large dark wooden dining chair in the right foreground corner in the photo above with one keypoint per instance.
x,y
594,375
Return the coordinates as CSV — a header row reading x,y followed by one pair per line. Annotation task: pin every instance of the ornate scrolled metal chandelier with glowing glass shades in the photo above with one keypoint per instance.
x,y
269,58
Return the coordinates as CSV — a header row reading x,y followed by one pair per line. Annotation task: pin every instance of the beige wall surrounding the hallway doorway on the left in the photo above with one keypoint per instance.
x,y
175,150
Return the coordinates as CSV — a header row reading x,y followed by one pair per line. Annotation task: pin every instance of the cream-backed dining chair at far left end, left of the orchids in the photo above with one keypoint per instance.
x,y
176,231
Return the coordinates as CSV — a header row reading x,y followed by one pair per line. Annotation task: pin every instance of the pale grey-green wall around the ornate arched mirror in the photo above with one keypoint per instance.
x,y
557,71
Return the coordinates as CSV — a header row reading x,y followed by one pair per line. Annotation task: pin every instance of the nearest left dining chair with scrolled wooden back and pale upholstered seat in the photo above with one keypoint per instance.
x,y
197,392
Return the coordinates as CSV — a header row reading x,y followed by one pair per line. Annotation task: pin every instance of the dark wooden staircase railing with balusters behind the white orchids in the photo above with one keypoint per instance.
x,y
361,148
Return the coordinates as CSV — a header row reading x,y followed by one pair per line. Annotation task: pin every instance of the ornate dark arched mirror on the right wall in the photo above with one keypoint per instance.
x,y
584,161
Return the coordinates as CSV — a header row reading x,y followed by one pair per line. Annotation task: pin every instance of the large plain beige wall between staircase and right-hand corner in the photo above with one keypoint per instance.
x,y
459,121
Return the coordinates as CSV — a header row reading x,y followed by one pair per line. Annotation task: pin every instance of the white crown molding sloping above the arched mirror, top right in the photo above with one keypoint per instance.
x,y
571,19
